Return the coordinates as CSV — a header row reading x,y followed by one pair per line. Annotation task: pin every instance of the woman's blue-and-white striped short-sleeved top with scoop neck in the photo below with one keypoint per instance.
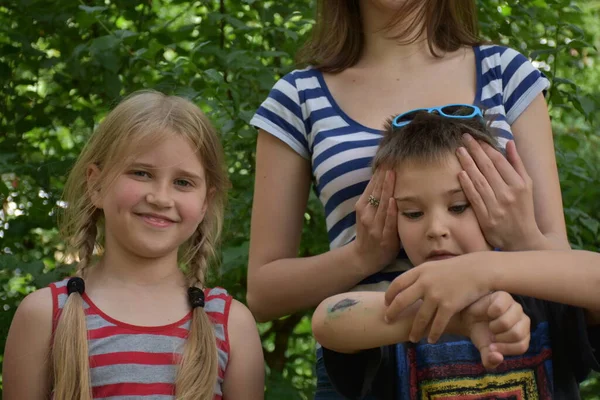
x,y
301,112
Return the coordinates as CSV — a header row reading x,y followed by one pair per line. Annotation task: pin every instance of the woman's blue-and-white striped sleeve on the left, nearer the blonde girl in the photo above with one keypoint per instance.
x,y
281,115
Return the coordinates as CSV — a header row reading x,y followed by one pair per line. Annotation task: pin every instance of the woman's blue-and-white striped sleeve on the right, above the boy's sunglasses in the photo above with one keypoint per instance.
x,y
521,83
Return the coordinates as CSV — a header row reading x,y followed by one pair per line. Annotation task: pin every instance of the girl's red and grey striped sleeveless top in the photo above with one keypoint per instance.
x,y
137,362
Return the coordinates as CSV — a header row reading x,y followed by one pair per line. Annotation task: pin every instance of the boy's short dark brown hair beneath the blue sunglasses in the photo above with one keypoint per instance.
x,y
428,138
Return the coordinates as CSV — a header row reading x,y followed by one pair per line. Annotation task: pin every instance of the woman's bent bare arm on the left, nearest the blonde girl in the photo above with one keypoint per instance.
x,y
280,283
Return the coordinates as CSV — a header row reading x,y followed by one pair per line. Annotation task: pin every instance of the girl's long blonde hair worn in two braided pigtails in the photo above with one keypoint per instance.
x,y
135,125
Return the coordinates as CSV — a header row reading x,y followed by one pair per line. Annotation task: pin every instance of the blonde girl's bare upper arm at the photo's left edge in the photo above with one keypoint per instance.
x,y
27,365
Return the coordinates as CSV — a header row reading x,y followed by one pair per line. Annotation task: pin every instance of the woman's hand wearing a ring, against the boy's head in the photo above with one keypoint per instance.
x,y
377,243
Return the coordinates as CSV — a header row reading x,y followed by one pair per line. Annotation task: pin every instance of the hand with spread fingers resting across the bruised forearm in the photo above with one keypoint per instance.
x,y
446,288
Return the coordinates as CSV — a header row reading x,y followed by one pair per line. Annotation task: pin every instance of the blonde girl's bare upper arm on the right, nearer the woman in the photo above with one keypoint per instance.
x,y
245,374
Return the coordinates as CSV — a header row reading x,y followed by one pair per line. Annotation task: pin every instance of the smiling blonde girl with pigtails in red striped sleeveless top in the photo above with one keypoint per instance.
x,y
147,195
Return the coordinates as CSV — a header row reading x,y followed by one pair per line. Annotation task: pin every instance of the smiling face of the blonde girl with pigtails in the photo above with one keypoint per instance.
x,y
157,203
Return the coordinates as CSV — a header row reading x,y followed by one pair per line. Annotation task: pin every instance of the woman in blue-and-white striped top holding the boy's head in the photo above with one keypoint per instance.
x,y
369,59
